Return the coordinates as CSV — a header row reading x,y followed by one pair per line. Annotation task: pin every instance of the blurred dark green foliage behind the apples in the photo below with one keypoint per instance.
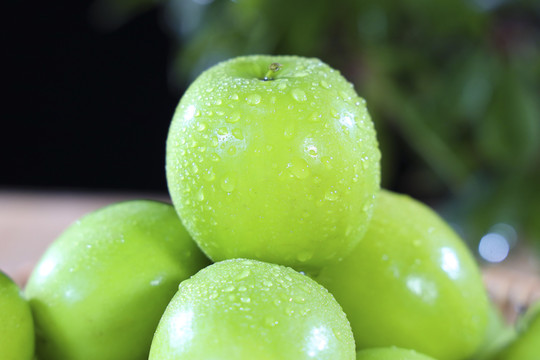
x,y
452,85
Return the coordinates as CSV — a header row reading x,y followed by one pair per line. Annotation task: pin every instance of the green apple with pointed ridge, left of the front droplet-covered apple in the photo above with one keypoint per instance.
x,y
100,289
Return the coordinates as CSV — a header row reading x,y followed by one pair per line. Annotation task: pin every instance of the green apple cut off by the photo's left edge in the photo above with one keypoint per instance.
x,y
16,324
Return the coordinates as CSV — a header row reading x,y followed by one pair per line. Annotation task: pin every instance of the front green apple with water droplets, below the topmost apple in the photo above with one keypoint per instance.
x,y
246,309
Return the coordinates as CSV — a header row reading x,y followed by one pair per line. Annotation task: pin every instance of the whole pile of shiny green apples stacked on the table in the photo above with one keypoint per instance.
x,y
279,244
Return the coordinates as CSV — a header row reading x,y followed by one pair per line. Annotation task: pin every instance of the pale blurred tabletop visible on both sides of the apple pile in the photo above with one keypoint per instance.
x,y
30,221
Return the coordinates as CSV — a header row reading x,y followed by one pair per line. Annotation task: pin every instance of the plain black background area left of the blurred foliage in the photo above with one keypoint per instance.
x,y
83,107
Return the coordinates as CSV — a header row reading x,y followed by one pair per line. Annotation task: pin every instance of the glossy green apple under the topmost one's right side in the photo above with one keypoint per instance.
x,y
411,282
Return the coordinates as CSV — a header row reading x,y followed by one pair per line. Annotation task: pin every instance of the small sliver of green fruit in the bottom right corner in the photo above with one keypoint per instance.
x,y
526,346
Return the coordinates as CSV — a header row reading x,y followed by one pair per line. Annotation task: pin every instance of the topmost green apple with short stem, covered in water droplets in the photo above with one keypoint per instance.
x,y
283,170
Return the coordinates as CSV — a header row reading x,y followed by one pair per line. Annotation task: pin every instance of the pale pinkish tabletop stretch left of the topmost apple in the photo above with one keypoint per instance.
x,y
30,221
